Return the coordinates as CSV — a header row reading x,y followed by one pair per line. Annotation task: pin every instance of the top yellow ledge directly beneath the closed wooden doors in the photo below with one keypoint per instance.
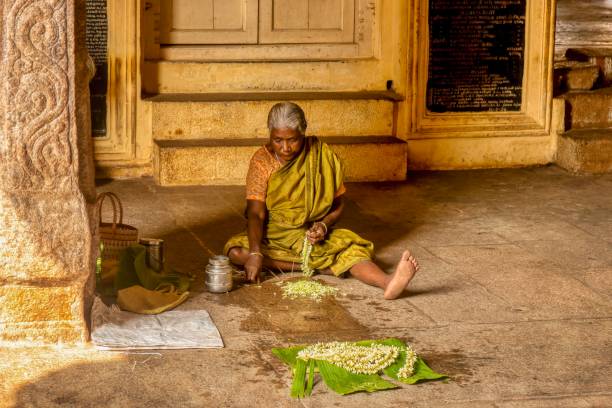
x,y
255,76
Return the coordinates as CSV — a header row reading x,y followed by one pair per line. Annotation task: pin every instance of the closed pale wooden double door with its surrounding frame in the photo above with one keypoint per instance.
x,y
231,30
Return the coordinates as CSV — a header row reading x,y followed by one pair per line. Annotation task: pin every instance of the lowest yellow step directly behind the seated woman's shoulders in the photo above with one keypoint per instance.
x,y
226,161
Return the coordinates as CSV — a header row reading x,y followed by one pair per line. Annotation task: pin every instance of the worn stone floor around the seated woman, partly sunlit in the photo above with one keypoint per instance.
x,y
513,301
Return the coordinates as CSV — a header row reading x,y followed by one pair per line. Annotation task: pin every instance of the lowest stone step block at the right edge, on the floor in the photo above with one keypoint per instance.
x,y
586,151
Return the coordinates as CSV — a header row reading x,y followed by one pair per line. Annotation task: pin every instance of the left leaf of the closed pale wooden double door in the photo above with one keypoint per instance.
x,y
208,22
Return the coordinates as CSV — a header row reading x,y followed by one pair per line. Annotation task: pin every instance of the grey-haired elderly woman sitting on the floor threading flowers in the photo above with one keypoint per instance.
x,y
294,189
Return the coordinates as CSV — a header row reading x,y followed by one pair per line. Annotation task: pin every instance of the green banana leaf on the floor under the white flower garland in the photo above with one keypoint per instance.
x,y
344,382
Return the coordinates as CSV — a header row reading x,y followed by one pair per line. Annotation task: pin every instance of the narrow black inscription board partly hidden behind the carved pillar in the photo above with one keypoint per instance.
x,y
97,29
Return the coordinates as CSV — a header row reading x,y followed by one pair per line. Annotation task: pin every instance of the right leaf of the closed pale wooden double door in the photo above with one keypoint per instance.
x,y
306,21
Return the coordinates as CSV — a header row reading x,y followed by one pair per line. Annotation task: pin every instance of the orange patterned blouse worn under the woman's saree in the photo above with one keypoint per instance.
x,y
262,165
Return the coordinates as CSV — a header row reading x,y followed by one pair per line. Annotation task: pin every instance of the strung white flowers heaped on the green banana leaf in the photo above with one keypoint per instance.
x,y
360,359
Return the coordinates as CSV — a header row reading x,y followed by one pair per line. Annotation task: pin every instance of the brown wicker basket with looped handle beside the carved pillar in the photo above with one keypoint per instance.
x,y
115,236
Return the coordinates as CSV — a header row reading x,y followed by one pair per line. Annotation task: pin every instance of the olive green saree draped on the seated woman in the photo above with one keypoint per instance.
x,y
299,193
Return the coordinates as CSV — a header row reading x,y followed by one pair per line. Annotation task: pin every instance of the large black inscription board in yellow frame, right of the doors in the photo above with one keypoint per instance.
x,y
476,54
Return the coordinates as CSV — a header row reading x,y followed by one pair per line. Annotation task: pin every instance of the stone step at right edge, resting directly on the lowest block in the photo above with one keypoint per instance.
x,y
589,109
